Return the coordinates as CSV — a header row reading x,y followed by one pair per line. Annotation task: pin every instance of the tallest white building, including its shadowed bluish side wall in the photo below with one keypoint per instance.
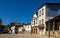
x,y
47,11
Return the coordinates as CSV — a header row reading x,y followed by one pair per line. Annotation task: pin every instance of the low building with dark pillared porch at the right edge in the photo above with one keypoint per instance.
x,y
54,26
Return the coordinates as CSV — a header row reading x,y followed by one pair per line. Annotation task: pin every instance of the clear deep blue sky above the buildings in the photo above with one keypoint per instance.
x,y
19,10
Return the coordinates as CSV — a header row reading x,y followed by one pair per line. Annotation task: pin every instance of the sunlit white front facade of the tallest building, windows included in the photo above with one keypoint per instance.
x,y
42,18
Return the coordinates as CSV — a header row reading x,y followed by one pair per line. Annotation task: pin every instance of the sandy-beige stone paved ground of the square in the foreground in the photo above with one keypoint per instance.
x,y
22,36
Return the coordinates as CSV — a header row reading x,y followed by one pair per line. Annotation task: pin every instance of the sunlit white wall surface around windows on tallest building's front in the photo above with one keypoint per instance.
x,y
42,17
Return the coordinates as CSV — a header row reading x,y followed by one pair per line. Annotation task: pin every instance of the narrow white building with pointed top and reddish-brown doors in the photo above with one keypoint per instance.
x,y
34,23
